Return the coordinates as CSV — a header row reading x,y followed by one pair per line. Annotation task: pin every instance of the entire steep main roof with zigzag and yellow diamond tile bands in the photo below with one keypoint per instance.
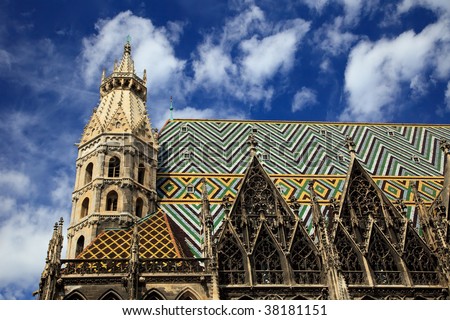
x,y
296,152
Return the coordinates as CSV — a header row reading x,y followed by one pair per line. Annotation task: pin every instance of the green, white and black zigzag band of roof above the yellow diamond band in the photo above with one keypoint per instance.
x,y
219,146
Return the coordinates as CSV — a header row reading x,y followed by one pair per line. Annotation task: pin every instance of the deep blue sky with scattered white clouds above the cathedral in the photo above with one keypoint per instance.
x,y
315,60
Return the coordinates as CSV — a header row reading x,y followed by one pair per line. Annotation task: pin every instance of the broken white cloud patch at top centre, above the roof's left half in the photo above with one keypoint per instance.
x,y
246,54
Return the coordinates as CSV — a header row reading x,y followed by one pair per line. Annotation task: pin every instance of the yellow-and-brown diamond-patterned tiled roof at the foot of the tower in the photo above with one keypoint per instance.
x,y
156,240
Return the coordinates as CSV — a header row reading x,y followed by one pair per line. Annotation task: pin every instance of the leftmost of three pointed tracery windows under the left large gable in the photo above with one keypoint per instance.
x,y
231,262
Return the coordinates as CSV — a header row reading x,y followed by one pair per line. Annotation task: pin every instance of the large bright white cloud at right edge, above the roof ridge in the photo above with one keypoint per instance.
x,y
377,71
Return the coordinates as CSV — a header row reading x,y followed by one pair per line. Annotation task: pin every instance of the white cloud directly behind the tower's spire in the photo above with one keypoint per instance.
x,y
152,48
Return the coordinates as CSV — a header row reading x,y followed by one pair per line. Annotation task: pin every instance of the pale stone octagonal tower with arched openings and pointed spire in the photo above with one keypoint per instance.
x,y
117,159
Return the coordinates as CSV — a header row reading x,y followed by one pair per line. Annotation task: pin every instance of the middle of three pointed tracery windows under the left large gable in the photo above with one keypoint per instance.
x,y
267,262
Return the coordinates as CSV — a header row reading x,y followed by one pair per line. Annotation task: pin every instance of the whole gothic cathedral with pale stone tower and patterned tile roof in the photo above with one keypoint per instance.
x,y
241,209
